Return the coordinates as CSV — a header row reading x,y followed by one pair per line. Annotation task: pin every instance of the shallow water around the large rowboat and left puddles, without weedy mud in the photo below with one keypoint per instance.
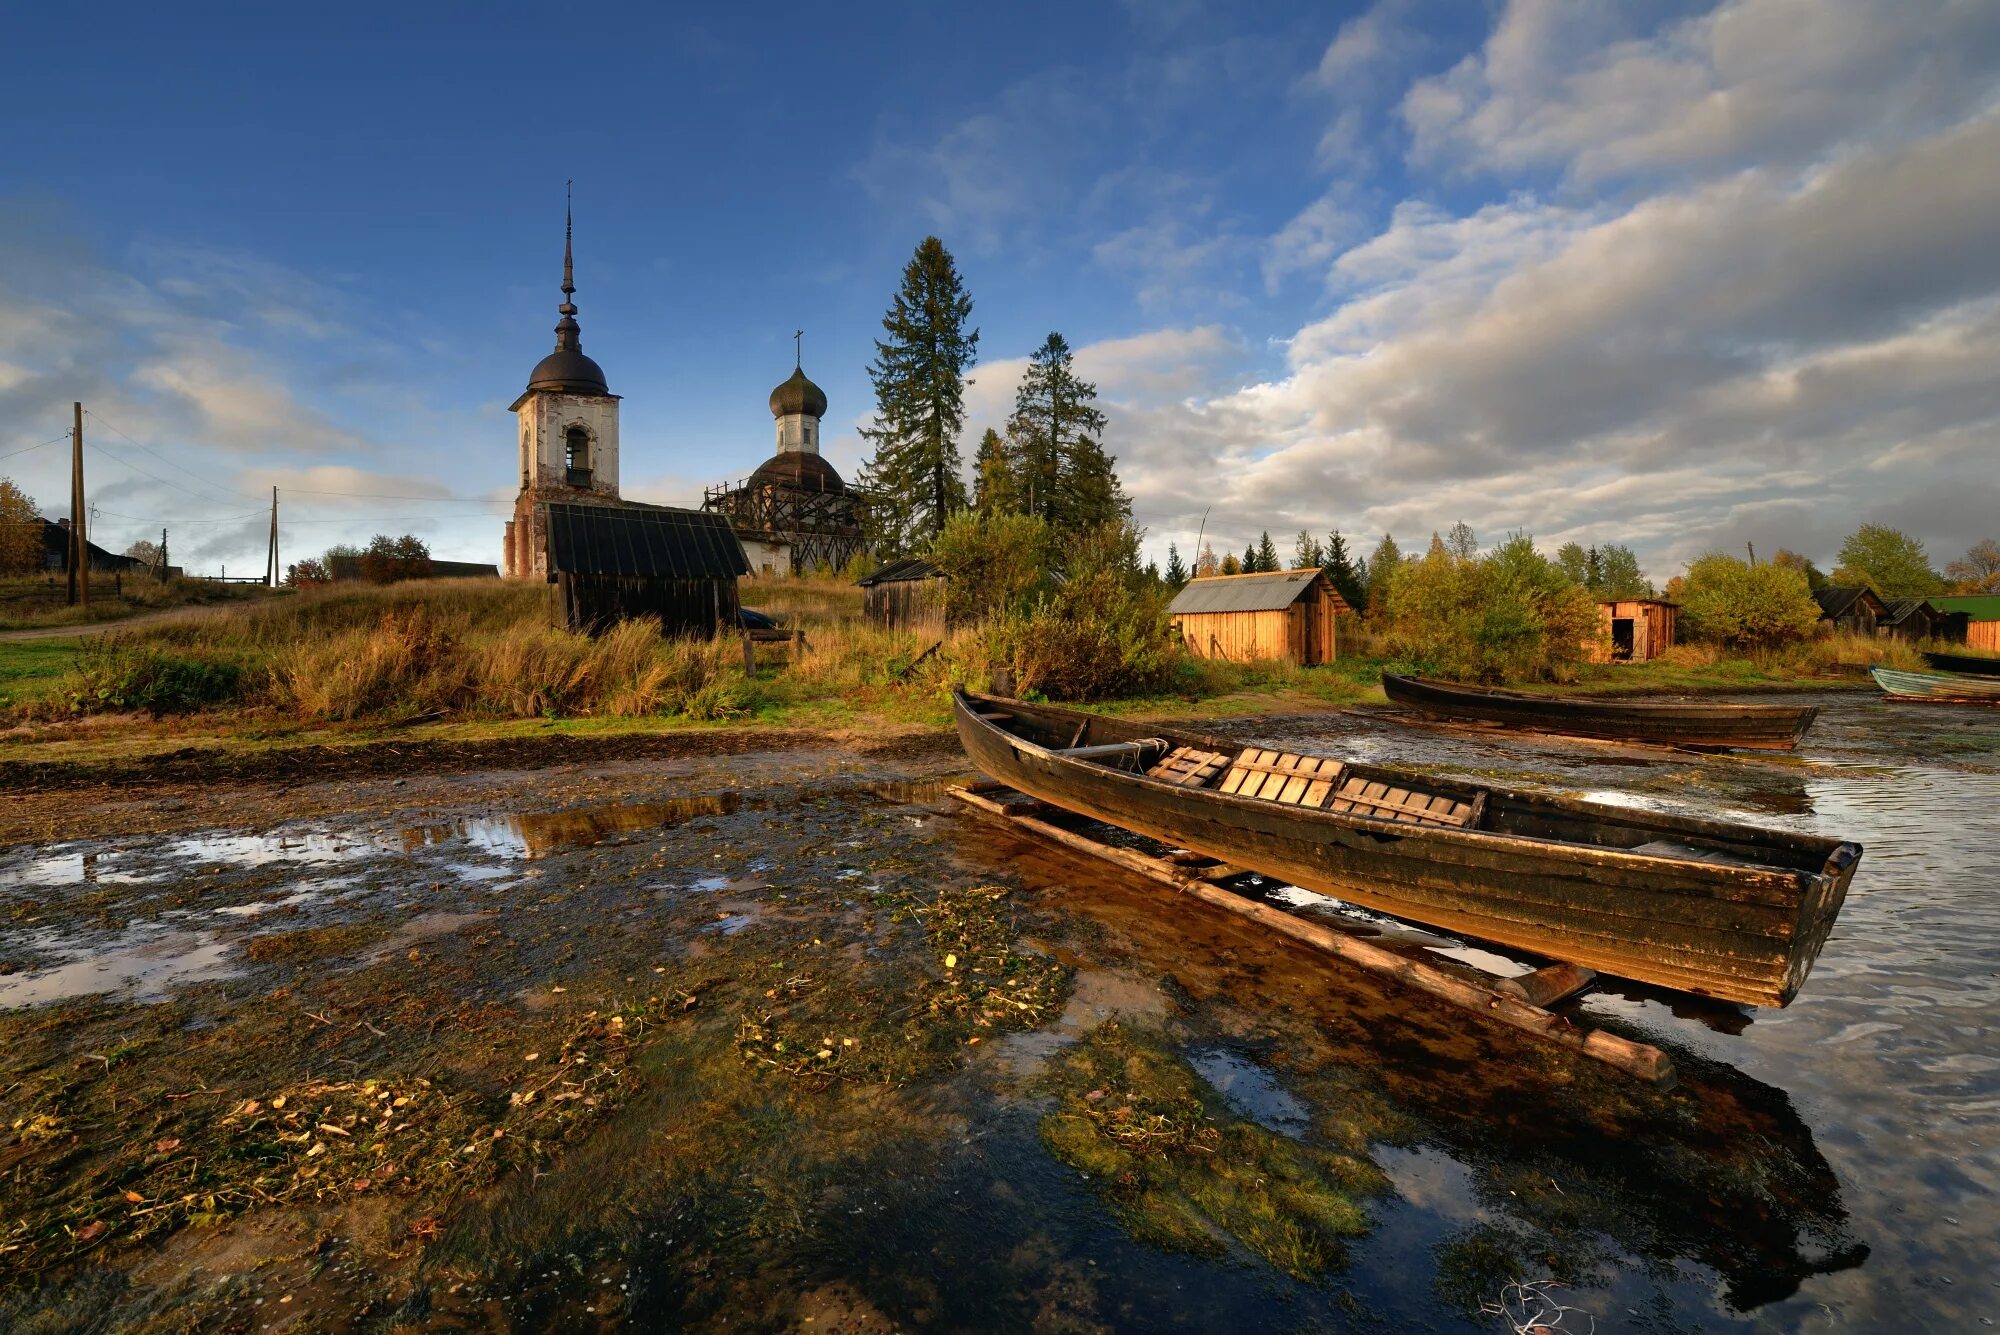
x,y
1825,1166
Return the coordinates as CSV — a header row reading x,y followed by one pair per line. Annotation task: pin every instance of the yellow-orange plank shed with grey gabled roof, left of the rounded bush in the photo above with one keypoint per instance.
x,y
1281,615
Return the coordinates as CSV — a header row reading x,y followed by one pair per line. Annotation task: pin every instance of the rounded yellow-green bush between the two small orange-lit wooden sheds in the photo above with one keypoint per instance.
x,y
1507,617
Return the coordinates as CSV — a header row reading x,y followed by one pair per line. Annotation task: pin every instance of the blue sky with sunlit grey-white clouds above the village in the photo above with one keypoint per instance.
x,y
1679,277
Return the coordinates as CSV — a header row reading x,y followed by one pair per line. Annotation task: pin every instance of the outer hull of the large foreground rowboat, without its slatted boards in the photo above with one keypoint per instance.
x,y
1733,932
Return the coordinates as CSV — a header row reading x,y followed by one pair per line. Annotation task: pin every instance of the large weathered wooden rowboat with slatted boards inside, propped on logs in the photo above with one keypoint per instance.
x,y
1673,900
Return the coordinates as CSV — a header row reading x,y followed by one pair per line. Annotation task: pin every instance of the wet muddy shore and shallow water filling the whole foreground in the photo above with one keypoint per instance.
x,y
765,1032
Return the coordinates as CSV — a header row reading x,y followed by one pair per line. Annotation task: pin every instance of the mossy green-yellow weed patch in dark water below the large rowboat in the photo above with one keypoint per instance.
x,y
1183,1172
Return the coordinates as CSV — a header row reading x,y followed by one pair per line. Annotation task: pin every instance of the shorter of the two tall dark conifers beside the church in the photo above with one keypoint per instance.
x,y
1061,471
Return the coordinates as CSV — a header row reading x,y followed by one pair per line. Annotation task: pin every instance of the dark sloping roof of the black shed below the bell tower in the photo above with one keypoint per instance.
x,y
641,541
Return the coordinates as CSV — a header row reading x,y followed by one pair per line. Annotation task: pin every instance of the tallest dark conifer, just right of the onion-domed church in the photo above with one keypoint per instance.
x,y
921,403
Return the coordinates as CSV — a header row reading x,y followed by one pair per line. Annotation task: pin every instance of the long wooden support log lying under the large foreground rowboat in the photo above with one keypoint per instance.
x,y
1639,1060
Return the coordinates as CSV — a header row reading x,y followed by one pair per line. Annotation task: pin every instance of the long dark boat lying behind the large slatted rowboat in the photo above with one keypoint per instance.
x,y
1673,722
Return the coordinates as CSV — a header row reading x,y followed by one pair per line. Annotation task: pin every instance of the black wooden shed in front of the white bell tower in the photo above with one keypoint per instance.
x,y
621,563
